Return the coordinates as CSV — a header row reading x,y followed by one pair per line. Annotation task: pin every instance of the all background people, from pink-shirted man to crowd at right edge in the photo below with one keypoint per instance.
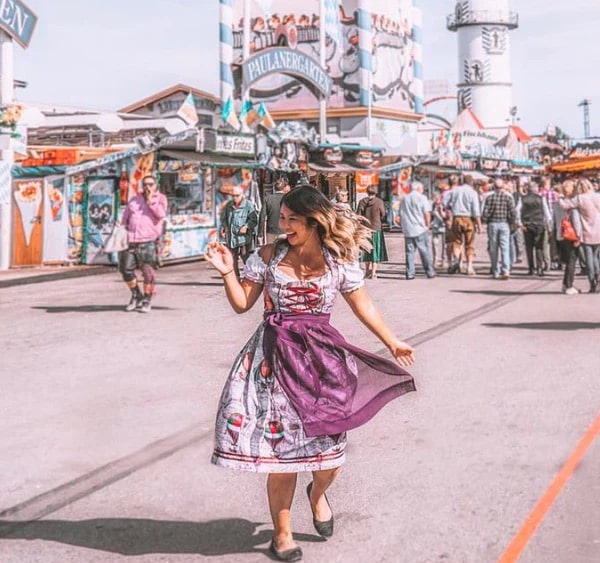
x,y
551,225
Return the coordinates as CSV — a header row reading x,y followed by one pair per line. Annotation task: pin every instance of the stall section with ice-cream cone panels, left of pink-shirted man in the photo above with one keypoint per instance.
x,y
66,201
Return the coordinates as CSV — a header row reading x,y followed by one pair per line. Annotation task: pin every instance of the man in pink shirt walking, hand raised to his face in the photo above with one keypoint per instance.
x,y
144,219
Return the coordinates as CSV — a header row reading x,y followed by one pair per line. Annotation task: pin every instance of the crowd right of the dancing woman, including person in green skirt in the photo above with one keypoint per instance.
x,y
550,225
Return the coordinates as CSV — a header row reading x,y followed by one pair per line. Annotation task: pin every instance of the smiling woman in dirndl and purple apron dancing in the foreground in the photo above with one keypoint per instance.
x,y
297,385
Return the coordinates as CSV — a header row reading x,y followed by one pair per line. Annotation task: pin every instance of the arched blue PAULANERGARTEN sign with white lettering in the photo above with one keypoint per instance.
x,y
287,61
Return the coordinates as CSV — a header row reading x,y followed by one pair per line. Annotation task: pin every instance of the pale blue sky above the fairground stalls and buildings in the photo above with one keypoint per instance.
x,y
106,54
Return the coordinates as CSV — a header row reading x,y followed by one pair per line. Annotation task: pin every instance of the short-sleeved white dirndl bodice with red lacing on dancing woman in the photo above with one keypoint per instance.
x,y
285,294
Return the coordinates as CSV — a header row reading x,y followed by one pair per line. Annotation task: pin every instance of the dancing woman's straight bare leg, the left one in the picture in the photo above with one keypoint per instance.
x,y
280,488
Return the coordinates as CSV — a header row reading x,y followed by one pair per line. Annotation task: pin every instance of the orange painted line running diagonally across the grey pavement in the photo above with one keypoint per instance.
x,y
520,540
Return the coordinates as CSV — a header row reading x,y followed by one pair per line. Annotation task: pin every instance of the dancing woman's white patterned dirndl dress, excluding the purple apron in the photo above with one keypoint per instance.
x,y
257,427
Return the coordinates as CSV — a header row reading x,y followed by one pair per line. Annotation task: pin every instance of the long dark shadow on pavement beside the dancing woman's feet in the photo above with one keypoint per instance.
x,y
132,536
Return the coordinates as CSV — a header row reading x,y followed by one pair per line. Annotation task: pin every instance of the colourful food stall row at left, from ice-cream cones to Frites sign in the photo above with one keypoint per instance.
x,y
64,211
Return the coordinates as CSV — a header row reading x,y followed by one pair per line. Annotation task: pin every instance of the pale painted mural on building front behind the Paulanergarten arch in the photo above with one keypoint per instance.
x,y
296,25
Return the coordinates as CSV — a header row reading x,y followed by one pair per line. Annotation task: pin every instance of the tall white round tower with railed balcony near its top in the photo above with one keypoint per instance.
x,y
484,83
